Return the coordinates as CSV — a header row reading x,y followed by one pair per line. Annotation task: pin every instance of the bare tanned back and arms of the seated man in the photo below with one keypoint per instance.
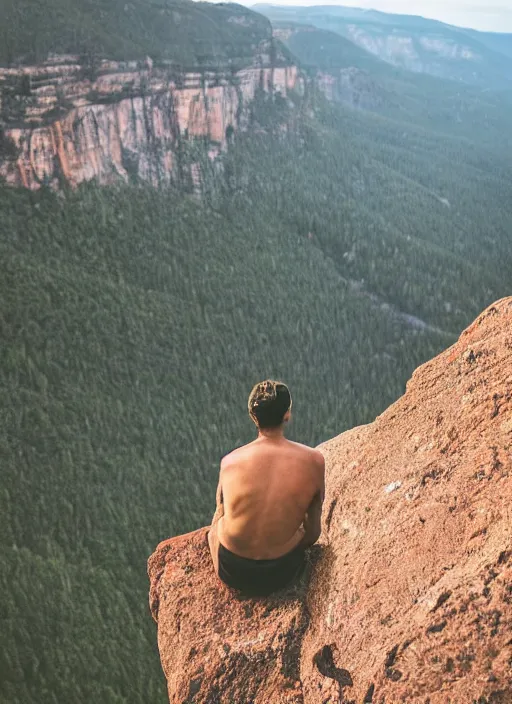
x,y
268,487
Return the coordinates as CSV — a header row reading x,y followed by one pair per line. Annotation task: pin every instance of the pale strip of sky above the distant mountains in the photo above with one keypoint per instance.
x,y
488,15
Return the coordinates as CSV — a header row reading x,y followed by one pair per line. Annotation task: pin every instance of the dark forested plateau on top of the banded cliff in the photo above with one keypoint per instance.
x,y
188,34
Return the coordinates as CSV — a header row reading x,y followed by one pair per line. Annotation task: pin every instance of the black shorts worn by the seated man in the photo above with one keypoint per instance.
x,y
259,577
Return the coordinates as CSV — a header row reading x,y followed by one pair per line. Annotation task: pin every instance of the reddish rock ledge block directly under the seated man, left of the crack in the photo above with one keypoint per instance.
x,y
214,646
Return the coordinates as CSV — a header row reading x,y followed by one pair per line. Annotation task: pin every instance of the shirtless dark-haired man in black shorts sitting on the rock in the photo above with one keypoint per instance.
x,y
269,501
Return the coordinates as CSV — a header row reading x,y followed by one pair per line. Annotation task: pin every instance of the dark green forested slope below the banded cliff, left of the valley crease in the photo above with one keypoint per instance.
x,y
135,324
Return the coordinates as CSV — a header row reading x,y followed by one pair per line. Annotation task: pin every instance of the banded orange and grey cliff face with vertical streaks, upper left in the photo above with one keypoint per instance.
x,y
69,122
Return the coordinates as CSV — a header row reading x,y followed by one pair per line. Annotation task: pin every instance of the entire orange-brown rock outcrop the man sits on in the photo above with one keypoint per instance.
x,y
410,599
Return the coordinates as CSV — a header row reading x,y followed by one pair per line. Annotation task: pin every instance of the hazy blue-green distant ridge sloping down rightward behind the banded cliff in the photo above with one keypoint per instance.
x,y
352,75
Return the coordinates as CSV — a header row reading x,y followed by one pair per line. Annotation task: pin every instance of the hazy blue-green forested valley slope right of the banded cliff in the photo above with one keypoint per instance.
x,y
386,201
